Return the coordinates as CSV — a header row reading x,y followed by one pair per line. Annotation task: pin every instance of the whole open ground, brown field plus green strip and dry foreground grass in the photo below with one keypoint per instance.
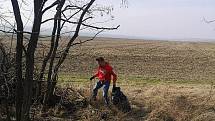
x,y
164,81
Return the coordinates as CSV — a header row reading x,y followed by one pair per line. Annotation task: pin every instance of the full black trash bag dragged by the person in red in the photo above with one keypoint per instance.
x,y
120,100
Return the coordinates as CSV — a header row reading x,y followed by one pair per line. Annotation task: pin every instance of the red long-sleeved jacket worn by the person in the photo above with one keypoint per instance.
x,y
104,73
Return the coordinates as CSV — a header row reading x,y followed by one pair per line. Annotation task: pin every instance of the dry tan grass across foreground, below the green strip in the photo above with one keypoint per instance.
x,y
153,103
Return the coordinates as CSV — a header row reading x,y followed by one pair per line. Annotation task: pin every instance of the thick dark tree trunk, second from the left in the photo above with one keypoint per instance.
x,y
28,82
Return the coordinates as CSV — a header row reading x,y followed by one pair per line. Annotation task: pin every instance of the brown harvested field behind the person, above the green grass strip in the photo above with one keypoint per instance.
x,y
163,60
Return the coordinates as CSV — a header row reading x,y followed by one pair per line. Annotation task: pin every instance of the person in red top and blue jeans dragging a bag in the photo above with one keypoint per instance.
x,y
104,74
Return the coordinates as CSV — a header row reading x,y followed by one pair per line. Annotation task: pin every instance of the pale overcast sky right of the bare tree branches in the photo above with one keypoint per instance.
x,y
165,18
